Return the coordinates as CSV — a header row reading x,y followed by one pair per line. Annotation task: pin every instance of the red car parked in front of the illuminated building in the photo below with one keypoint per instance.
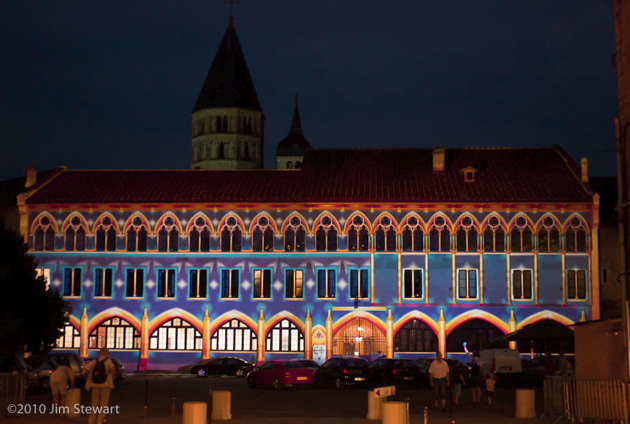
x,y
279,374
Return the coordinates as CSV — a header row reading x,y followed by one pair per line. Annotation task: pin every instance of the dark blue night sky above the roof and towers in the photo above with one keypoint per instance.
x,y
111,85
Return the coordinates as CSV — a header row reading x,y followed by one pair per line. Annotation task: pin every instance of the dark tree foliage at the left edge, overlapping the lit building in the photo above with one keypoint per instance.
x,y
31,316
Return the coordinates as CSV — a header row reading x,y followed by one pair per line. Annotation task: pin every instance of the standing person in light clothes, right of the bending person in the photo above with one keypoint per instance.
x,y
100,382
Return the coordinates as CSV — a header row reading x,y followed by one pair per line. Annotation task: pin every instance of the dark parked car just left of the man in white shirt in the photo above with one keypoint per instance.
x,y
393,371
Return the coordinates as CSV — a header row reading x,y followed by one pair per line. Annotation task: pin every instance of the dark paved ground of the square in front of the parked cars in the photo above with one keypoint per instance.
x,y
269,405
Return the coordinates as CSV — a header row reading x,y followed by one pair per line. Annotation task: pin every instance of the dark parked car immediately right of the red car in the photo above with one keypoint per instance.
x,y
342,372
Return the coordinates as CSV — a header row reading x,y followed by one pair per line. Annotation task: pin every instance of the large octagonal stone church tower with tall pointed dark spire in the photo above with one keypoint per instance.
x,y
227,121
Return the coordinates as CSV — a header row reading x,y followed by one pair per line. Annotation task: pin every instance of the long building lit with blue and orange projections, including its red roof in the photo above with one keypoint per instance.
x,y
396,252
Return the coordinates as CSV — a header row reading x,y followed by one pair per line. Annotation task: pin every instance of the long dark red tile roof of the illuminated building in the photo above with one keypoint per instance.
x,y
537,175
